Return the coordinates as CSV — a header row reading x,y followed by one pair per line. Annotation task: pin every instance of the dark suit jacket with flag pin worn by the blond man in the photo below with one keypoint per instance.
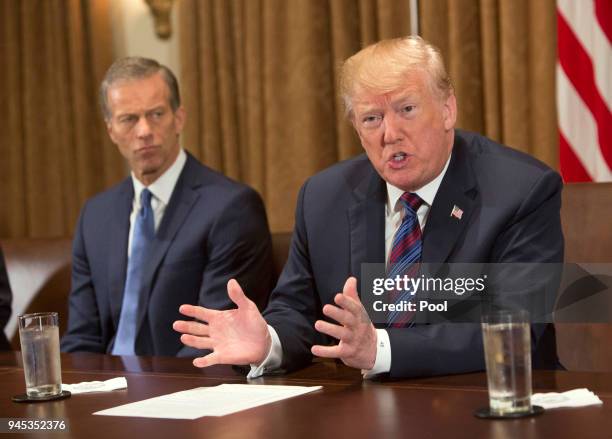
x,y
511,213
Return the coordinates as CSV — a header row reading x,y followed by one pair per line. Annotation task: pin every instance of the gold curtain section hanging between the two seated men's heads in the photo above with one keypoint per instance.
x,y
259,86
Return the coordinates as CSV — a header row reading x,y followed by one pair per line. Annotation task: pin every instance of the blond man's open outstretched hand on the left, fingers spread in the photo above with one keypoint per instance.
x,y
236,336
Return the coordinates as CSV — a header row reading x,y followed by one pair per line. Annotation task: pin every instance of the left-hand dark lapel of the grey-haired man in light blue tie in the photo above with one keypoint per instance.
x,y
118,245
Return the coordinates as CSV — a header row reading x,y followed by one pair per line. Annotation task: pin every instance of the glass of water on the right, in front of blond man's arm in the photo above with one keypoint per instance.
x,y
507,346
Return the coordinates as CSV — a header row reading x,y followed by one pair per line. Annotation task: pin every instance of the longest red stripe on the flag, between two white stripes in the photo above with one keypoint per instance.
x,y
579,69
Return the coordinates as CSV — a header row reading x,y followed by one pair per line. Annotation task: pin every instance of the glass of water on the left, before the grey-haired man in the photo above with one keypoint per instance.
x,y
39,336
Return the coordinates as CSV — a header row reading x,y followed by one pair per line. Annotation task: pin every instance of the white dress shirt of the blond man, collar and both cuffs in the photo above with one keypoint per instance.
x,y
394,213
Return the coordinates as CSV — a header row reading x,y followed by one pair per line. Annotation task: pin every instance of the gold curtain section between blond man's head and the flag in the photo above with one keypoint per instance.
x,y
501,55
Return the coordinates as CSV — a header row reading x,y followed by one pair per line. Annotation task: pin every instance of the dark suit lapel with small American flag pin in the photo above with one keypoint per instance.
x,y
457,190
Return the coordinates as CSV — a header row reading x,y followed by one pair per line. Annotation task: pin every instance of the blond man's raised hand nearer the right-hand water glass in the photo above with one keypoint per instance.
x,y
357,336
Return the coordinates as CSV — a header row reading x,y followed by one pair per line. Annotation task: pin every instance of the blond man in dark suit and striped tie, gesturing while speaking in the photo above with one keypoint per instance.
x,y
436,193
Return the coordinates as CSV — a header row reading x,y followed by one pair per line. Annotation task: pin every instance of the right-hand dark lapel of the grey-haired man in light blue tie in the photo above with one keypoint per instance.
x,y
181,202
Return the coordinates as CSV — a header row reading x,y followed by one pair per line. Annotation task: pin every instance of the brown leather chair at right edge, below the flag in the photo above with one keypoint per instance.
x,y
586,215
